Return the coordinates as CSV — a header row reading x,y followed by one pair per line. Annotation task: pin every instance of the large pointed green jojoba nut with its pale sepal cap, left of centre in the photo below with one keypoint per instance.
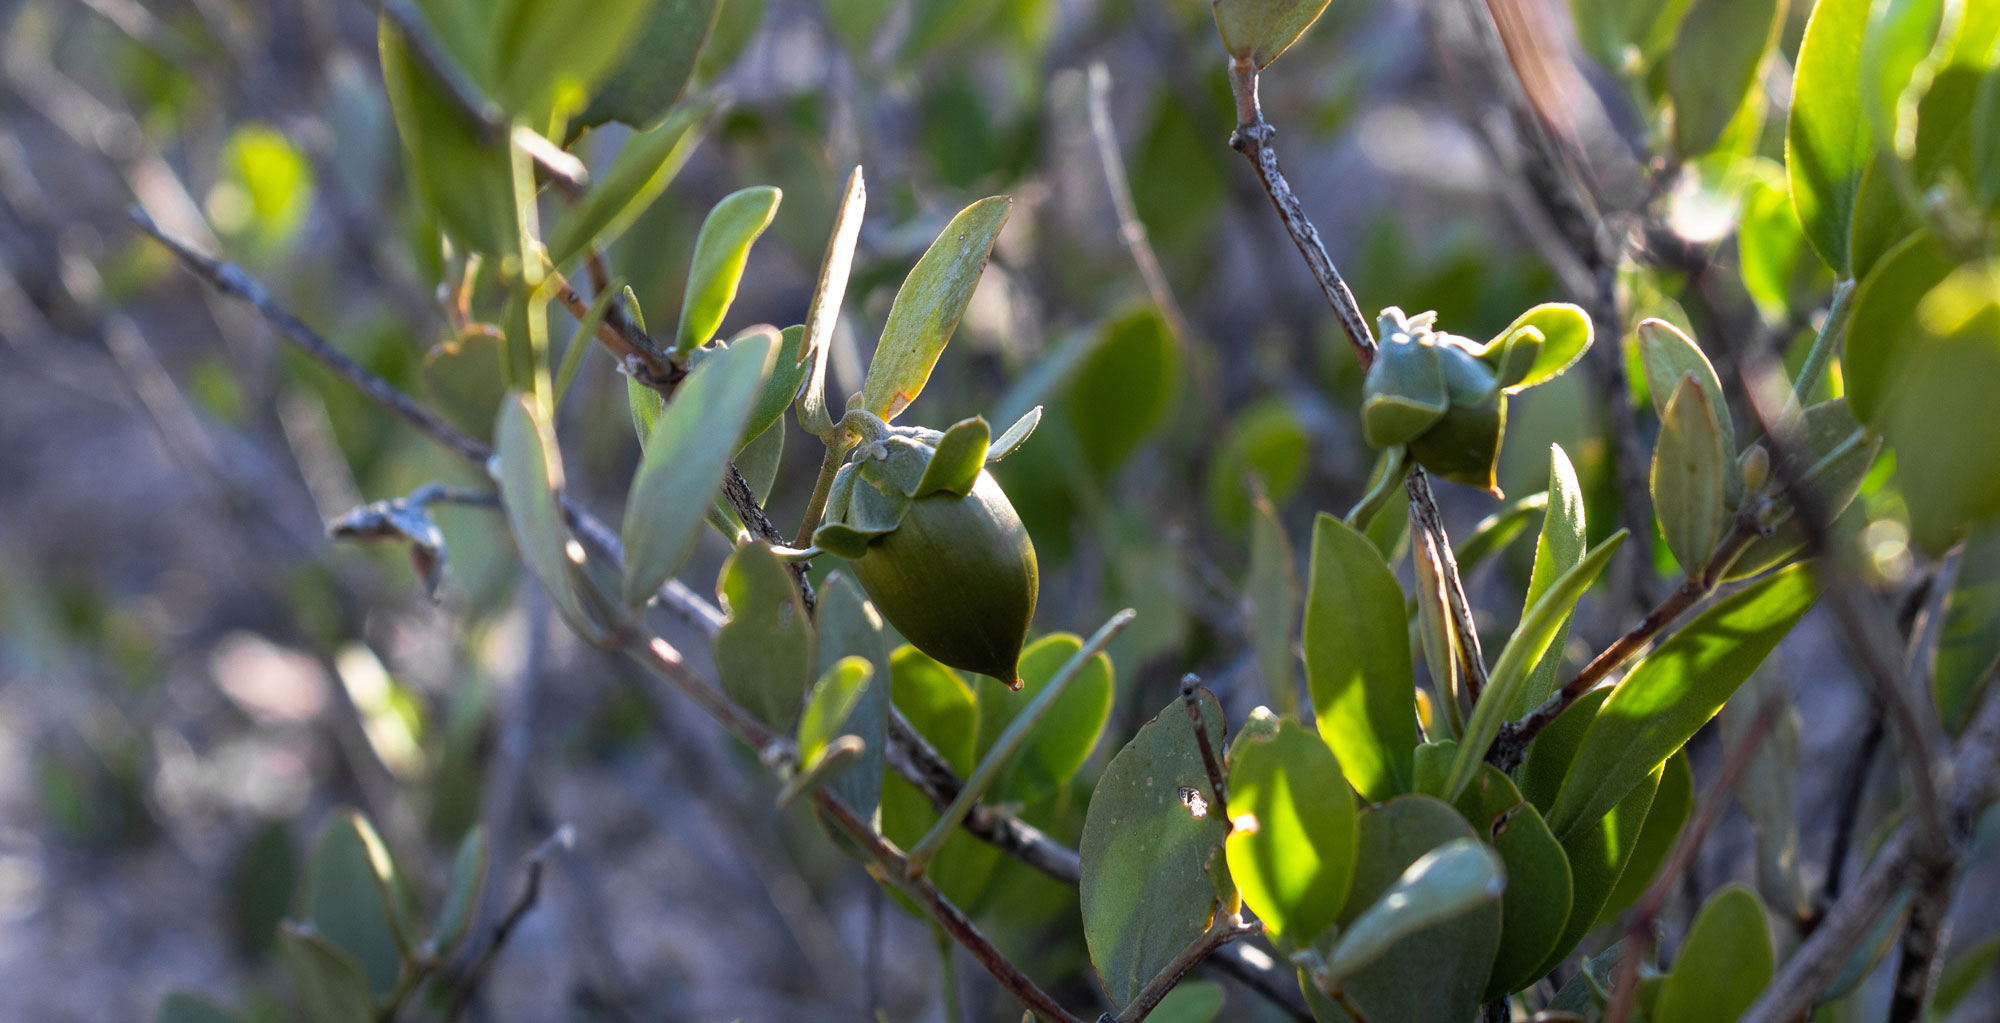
x,y
937,544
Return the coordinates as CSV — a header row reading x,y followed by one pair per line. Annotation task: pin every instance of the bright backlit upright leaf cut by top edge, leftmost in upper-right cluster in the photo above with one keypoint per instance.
x,y
1829,143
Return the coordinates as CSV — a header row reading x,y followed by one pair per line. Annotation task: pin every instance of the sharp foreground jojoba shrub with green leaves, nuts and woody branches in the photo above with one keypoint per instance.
x,y
1433,834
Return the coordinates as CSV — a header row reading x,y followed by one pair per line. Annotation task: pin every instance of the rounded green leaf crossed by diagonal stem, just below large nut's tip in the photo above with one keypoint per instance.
x,y
1067,734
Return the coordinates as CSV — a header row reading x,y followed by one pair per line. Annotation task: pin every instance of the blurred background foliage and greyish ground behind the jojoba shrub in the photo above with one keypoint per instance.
x,y
195,680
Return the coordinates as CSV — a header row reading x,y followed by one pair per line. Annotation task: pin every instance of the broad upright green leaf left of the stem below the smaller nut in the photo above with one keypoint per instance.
x,y
1359,660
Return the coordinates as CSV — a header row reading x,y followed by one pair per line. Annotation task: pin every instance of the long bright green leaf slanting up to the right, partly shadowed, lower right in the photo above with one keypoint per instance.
x,y
1677,690
